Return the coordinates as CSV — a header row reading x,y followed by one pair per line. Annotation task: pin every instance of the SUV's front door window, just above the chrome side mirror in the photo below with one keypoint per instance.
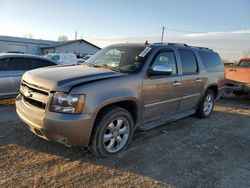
x,y
164,58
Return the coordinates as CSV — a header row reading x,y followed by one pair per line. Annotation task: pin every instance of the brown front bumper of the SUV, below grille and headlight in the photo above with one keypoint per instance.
x,y
68,129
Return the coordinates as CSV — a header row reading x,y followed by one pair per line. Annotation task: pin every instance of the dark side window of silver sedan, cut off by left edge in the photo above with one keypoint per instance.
x,y
11,64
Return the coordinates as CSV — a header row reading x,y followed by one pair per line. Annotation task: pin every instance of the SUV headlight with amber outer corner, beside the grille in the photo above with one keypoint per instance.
x,y
67,103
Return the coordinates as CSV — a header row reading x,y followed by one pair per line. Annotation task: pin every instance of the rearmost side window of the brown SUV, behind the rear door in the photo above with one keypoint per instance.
x,y
211,61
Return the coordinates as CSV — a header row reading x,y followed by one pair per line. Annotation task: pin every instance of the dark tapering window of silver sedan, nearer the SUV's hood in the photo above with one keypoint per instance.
x,y
31,63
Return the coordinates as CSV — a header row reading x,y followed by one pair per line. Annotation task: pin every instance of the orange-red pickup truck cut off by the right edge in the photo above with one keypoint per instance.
x,y
238,77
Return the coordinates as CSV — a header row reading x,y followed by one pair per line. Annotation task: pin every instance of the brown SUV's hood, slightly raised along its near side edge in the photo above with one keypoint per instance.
x,y
63,78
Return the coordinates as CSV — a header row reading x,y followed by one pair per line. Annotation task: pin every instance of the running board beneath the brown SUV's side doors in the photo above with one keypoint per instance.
x,y
157,123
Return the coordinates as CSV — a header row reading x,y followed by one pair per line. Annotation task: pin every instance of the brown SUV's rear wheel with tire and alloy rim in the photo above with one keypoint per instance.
x,y
205,107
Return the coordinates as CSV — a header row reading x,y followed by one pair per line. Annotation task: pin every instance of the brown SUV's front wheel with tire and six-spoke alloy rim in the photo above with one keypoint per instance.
x,y
112,132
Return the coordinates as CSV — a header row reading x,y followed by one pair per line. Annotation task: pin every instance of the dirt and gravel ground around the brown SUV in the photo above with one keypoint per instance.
x,y
191,152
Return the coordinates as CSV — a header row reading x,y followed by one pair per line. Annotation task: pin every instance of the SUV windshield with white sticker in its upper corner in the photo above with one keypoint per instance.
x,y
120,58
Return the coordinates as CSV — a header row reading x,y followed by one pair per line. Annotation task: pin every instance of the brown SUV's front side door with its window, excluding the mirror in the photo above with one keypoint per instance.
x,y
161,94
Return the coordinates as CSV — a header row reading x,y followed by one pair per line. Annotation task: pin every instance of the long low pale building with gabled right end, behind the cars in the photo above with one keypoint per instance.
x,y
40,47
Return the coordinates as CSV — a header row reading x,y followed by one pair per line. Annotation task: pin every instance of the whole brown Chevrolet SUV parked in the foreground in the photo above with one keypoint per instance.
x,y
119,89
